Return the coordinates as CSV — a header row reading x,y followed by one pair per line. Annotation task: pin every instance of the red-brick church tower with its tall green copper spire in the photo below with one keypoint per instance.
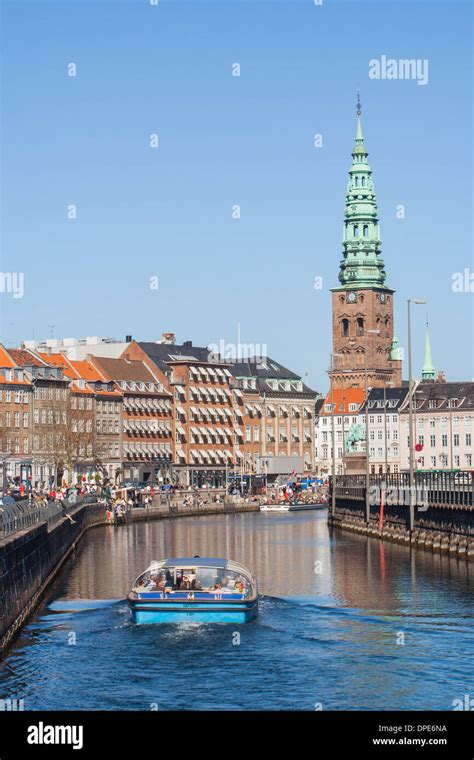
x,y
362,306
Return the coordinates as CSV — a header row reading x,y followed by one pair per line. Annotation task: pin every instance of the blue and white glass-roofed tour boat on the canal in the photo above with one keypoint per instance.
x,y
196,589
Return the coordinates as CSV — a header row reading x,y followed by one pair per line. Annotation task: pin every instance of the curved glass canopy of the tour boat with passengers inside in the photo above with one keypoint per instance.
x,y
210,579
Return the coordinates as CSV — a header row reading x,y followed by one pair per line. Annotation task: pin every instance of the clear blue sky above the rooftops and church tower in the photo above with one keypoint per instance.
x,y
226,140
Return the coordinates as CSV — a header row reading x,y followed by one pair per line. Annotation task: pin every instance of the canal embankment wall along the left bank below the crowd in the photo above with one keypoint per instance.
x,y
31,558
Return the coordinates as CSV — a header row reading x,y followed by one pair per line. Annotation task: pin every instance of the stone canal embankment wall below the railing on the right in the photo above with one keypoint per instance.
x,y
447,529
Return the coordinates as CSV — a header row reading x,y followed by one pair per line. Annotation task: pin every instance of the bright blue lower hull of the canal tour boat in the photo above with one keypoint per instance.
x,y
164,611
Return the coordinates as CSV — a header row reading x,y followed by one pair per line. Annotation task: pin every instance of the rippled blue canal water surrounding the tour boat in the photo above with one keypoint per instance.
x,y
345,623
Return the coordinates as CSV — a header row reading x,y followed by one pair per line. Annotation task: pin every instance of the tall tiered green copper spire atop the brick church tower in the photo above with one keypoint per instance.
x,y
362,265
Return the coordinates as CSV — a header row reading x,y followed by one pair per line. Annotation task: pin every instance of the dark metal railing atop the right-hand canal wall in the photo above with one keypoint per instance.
x,y
436,488
